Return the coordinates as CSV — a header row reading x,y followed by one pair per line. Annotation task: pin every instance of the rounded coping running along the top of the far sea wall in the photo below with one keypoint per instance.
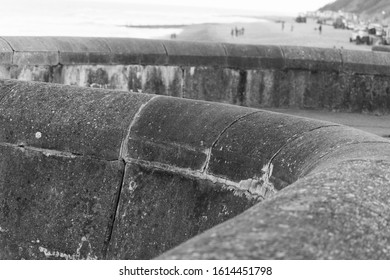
x,y
76,50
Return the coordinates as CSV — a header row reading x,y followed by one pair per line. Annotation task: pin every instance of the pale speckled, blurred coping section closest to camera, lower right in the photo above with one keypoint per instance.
x,y
338,213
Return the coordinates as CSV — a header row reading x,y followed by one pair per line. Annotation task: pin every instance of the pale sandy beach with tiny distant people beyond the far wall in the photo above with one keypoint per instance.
x,y
269,32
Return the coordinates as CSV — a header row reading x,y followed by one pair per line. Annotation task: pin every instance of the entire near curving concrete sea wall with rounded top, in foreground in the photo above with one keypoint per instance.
x,y
89,173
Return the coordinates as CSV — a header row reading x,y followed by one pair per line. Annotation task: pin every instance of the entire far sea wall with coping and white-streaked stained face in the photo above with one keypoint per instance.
x,y
248,75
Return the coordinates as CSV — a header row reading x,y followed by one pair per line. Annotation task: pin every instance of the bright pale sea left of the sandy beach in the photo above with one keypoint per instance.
x,y
86,18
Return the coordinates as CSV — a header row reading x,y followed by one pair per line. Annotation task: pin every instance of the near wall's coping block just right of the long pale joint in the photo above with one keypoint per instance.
x,y
180,132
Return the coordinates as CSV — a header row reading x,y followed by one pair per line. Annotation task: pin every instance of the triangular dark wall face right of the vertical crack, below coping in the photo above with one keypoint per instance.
x,y
158,210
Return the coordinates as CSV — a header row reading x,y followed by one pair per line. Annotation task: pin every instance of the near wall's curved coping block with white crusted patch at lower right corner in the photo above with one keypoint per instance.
x,y
238,155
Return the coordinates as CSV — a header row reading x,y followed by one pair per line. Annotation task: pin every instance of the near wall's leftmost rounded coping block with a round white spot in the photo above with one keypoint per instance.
x,y
63,118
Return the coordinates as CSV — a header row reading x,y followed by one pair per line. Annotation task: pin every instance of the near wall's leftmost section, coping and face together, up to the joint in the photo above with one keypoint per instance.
x,y
61,170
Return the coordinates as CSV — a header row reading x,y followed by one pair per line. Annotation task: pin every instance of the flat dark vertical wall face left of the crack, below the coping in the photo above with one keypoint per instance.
x,y
55,206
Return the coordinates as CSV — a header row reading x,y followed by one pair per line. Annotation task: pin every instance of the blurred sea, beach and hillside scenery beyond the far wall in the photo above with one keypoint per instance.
x,y
352,24
